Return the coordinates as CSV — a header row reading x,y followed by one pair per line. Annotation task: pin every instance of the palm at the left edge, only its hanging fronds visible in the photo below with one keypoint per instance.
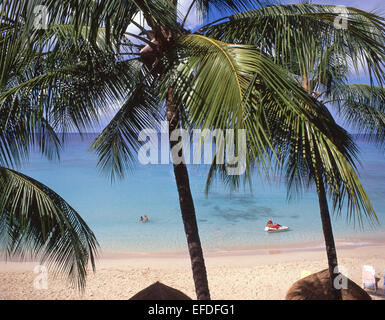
x,y
34,220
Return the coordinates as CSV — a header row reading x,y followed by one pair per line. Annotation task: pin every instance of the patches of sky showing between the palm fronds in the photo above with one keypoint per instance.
x,y
193,22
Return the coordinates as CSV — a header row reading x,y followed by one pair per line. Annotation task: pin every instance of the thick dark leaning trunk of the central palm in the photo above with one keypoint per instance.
x,y
188,210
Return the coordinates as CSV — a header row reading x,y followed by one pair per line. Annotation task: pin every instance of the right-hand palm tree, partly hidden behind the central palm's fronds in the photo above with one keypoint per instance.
x,y
310,42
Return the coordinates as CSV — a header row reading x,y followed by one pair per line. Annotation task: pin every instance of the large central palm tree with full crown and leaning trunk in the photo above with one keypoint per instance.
x,y
87,60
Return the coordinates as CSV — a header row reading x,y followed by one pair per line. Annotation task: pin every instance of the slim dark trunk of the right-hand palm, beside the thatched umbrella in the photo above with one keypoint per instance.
x,y
329,238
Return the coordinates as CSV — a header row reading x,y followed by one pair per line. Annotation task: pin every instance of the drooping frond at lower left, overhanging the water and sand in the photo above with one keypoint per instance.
x,y
36,222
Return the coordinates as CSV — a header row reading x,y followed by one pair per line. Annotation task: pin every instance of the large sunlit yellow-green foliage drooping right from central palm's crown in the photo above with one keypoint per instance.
x,y
236,86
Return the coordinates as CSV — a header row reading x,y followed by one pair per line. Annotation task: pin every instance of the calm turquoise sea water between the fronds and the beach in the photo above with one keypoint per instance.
x,y
226,221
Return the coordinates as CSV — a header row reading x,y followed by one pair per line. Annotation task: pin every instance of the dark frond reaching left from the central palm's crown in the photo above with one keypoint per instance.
x,y
72,95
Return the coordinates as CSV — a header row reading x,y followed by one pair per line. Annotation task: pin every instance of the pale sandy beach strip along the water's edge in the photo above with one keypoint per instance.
x,y
241,275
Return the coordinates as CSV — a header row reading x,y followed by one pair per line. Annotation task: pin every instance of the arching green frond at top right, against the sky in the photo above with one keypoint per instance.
x,y
308,31
